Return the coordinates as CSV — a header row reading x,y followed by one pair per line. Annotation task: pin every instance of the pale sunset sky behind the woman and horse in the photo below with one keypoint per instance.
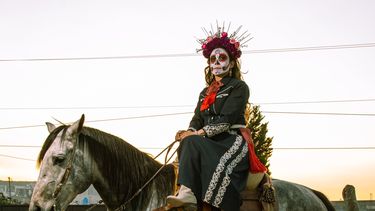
x,y
310,66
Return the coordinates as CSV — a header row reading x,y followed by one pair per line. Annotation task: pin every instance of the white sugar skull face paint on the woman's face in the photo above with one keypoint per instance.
x,y
219,61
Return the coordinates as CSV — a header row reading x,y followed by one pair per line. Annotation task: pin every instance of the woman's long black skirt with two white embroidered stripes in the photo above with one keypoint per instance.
x,y
215,168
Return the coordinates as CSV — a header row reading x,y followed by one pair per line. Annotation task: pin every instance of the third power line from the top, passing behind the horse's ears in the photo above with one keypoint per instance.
x,y
183,113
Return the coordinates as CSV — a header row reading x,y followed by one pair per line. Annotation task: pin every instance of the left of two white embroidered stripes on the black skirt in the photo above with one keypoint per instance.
x,y
220,168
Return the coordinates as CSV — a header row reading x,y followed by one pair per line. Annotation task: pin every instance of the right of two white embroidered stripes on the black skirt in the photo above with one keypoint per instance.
x,y
228,172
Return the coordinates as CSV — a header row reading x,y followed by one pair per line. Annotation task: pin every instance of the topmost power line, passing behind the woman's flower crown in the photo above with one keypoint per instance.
x,y
275,50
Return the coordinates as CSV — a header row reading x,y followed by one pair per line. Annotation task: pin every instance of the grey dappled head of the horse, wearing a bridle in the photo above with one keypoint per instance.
x,y
64,171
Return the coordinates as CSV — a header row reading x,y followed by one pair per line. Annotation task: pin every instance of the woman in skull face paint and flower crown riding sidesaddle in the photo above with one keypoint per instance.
x,y
213,155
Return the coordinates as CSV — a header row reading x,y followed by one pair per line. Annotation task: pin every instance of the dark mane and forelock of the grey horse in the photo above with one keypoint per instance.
x,y
124,167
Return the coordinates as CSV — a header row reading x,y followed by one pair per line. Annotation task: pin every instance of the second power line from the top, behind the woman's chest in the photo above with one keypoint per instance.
x,y
179,106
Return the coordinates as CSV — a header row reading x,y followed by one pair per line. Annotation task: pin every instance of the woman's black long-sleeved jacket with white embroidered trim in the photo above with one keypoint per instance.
x,y
228,110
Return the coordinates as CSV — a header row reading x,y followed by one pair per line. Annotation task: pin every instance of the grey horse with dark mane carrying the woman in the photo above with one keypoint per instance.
x,y
73,157
